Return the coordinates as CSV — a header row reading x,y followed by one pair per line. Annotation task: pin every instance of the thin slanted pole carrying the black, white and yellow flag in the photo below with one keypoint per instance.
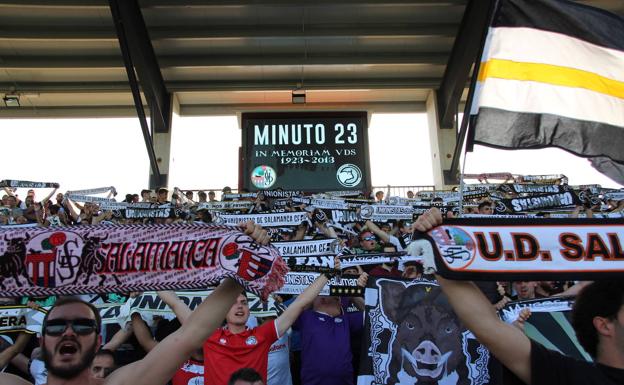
x,y
473,82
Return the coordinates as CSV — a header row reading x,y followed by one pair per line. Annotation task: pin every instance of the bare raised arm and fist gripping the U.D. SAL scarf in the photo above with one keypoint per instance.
x,y
506,342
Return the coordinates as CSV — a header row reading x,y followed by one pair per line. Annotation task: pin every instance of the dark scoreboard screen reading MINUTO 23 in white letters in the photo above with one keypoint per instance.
x,y
305,151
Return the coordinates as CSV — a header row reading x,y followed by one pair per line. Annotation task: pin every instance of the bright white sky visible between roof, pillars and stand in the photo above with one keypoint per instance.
x,y
90,153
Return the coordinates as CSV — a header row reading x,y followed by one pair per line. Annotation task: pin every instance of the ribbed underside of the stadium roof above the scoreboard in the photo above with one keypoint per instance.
x,y
63,58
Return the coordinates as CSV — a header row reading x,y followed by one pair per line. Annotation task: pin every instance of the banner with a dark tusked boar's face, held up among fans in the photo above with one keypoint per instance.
x,y
412,336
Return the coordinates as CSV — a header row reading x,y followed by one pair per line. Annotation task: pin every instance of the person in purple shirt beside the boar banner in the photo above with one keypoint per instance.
x,y
326,340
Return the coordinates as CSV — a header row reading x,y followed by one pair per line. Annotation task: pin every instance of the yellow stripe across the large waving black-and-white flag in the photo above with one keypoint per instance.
x,y
550,74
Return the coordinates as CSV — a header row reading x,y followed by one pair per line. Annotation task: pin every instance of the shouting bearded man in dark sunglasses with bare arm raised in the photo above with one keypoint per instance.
x,y
70,338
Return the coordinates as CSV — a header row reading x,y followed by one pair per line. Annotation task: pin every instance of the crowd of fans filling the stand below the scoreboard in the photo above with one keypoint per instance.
x,y
315,340
